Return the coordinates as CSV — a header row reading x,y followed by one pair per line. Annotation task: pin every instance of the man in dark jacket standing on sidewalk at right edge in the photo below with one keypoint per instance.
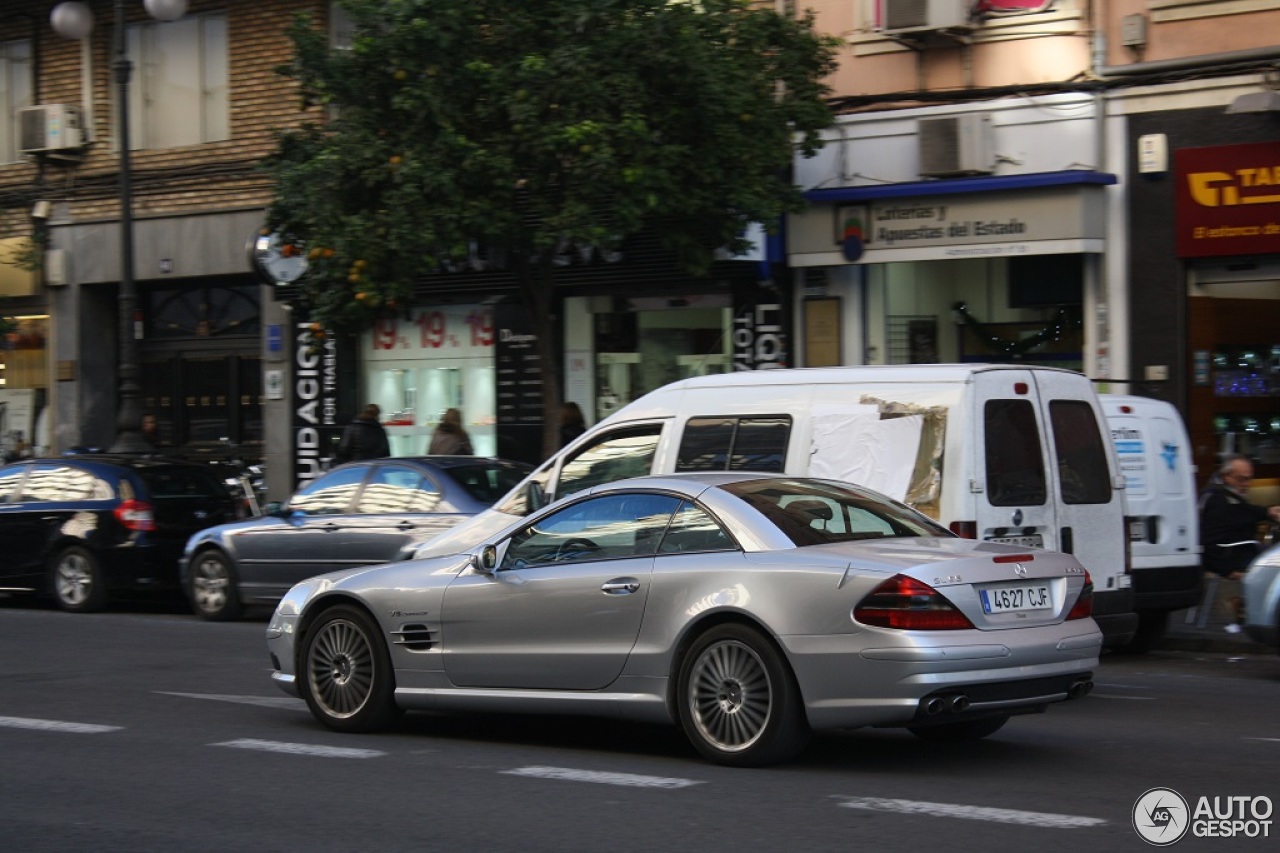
x,y
1229,531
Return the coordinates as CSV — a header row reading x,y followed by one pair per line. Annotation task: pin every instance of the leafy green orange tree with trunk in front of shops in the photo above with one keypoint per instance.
x,y
520,125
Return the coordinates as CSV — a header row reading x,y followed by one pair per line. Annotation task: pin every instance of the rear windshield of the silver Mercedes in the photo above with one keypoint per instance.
x,y
822,512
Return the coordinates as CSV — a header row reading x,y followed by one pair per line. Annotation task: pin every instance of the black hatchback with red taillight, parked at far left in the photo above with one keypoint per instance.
x,y
84,528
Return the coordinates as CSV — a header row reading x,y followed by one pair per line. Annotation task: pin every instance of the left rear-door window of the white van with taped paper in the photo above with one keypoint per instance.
x,y
1016,462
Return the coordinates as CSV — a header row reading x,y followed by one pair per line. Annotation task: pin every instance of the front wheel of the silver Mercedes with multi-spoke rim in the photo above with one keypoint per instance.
x,y
345,673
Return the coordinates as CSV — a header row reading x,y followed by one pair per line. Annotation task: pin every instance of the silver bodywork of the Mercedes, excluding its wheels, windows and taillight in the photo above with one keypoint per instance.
x,y
555,640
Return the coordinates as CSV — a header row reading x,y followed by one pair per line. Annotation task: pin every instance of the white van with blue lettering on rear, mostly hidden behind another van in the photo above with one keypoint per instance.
x,y
1155,458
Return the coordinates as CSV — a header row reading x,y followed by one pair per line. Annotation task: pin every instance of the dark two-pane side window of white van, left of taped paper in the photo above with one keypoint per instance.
x,y
756,444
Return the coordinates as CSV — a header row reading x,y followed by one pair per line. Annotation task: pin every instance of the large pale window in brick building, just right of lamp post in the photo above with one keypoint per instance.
x,y
180,88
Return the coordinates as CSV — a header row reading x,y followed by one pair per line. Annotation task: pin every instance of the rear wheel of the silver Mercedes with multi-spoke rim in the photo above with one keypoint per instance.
x,y
738,700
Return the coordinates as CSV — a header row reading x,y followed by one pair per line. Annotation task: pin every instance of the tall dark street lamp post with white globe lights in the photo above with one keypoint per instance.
x,y
75,20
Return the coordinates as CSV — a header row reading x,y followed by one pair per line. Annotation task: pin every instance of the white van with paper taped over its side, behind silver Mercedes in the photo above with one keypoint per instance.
x,y
1000,453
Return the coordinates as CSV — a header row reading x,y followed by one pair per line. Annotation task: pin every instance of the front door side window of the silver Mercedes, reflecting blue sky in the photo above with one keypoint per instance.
x,y
604,528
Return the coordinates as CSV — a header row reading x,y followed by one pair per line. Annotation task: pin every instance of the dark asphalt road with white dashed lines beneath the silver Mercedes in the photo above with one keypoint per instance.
x,y
153,731
